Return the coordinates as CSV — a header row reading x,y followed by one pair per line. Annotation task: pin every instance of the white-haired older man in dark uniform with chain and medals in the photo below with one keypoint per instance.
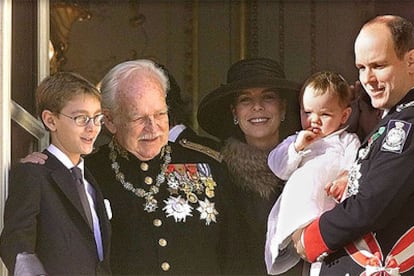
x,y
172,205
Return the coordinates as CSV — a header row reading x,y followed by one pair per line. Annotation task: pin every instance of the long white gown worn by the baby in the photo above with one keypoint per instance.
x,y
307,172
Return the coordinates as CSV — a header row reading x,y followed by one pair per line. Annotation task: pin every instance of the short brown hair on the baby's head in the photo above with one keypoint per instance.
x,y
328,82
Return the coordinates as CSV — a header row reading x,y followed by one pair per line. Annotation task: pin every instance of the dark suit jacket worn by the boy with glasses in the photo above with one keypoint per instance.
x,y
44,215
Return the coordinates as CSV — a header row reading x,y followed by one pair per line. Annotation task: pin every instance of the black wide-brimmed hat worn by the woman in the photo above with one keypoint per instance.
x,y
214,114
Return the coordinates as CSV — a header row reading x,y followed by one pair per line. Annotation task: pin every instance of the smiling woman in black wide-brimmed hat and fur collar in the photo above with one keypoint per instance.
x,y
251,113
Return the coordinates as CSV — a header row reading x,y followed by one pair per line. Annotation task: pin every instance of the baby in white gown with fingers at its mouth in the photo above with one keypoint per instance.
x,y
310,161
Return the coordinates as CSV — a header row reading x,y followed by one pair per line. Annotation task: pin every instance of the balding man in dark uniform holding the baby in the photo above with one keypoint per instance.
x,y
372,231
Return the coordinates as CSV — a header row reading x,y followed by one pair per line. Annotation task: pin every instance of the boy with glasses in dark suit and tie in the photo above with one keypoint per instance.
x,y
55,220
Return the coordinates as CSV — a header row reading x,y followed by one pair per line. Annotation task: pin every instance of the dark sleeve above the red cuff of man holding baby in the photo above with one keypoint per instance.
x,y
385,192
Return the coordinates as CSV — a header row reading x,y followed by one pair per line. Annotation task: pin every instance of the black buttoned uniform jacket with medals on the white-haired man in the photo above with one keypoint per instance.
x,y
189,239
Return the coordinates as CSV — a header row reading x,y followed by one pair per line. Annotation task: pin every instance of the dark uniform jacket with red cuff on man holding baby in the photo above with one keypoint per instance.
x,y
381,190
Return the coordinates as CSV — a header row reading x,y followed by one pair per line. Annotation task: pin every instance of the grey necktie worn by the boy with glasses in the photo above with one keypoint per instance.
x,y
92,217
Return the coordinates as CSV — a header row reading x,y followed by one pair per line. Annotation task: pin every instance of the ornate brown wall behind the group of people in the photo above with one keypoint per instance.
x,y
198,41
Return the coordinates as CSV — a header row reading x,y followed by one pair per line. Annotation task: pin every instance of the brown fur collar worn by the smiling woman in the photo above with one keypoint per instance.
x,y
248,168
